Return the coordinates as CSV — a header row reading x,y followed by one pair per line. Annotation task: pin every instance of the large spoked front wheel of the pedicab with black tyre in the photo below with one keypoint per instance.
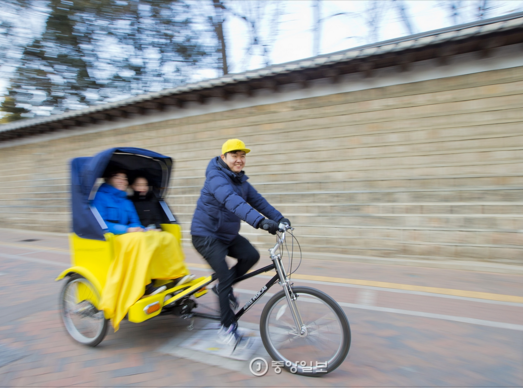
x,y
326,342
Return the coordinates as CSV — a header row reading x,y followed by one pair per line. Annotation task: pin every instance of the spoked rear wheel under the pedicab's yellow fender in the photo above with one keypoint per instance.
x,y
82,320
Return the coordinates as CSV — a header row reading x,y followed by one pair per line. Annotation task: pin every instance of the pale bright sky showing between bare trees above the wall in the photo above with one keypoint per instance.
x,y
292,37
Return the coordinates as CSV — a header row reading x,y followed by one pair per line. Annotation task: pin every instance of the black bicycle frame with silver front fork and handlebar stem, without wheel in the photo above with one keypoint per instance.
x,y
280,276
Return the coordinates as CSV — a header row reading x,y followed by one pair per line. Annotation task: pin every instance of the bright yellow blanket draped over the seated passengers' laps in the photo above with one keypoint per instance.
x,y
138,258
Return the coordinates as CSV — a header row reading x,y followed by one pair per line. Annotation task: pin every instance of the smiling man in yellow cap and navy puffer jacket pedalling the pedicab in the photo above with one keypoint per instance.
x,y
226,199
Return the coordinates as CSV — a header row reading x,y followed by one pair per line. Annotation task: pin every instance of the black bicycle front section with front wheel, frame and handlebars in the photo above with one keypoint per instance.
x,y
292,338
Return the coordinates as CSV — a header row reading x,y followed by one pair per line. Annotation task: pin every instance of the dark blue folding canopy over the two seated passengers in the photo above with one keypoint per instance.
x,y
85,174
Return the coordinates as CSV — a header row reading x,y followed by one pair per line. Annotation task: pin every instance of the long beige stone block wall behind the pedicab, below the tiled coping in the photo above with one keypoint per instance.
x,y
429,169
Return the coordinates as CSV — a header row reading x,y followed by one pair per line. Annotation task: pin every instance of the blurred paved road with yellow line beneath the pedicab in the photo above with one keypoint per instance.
x,y
411,326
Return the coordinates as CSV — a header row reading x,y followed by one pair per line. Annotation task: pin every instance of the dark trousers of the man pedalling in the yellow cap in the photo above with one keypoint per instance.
x,y
214,252
